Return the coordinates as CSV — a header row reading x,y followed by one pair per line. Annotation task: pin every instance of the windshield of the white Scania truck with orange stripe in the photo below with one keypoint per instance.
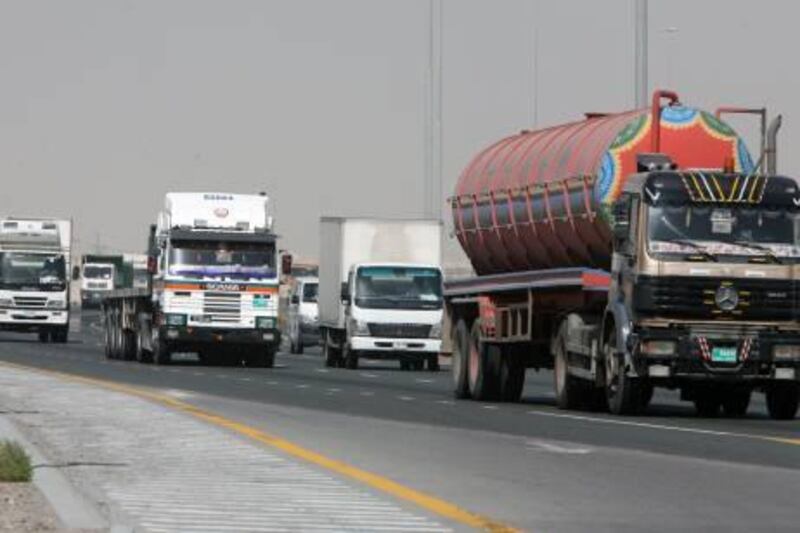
x,y
222,260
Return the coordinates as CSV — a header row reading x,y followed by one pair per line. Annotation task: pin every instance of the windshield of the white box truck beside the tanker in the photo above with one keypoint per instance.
x,y
380,287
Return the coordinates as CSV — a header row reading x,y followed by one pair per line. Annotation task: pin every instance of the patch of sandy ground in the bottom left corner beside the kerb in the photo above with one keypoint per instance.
x,y
24,509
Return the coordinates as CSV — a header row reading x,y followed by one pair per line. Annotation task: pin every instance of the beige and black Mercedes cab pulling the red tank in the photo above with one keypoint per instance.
x,y
704,291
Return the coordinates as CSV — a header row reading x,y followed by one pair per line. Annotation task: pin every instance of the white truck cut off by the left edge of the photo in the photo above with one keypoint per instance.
x,y
34,276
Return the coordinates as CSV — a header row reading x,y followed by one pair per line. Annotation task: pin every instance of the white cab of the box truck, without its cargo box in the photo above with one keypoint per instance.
x,y
394,311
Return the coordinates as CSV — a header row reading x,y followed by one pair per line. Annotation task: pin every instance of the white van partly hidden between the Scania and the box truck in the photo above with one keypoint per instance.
x,y
303,314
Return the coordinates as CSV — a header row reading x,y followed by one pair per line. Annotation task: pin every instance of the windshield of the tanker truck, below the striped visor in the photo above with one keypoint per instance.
x,y
745,232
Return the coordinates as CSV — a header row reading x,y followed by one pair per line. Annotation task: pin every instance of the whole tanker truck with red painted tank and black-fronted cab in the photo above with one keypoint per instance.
x,y
629,251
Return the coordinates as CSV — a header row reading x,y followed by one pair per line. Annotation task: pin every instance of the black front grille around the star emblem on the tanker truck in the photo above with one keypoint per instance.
x,y
695,297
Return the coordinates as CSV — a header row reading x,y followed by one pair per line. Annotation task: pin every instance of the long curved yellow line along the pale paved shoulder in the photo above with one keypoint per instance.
x,y
426,501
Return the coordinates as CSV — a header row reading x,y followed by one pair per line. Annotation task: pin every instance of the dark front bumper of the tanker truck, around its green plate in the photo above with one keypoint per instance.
x,y
694,359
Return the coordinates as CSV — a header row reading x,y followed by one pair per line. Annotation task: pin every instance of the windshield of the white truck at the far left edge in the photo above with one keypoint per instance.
x,y
32,271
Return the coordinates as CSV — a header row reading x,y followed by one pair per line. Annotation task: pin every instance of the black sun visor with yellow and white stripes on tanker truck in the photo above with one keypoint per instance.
x,y
719,188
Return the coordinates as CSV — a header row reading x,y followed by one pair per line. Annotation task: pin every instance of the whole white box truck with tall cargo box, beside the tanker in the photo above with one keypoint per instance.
x,y
380,291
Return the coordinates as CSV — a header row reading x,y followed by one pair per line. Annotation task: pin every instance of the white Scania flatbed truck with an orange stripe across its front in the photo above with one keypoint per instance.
x,y
214,286
